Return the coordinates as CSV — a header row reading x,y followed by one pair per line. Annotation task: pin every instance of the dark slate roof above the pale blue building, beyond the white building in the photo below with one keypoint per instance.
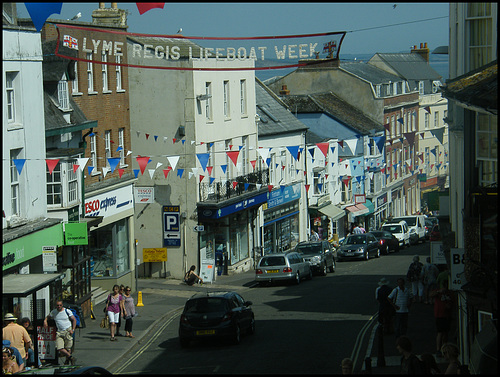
x,y
336,108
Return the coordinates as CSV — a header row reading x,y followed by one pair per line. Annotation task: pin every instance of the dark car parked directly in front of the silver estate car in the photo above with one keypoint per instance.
x,y
319,254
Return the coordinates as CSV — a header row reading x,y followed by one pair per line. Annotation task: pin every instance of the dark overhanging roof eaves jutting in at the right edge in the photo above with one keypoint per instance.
x,y
478,88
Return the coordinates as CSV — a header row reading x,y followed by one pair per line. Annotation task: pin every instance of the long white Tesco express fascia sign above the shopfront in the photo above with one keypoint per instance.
x,y
110,203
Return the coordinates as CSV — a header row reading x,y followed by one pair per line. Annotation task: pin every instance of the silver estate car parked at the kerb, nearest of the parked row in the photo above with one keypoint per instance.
x,y
282,266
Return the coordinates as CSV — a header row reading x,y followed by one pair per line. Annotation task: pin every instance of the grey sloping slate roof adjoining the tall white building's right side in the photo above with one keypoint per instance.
x,y
275,117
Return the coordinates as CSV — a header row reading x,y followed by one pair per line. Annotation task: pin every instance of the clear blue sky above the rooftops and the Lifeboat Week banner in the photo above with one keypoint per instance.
x,y
367,24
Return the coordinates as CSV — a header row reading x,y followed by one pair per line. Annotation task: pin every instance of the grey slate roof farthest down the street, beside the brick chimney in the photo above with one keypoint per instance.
x,y
409,66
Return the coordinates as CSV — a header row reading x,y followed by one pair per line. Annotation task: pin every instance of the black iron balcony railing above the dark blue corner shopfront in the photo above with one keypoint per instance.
x,y
220,191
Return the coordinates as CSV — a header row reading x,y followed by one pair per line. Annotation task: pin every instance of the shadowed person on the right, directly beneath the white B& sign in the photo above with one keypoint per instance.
x,y
443,305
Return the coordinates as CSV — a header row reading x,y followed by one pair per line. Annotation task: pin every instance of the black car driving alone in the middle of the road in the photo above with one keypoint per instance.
x,y
216,315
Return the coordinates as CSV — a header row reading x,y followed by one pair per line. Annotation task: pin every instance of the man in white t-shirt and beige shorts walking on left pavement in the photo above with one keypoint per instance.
x,y
66,325
